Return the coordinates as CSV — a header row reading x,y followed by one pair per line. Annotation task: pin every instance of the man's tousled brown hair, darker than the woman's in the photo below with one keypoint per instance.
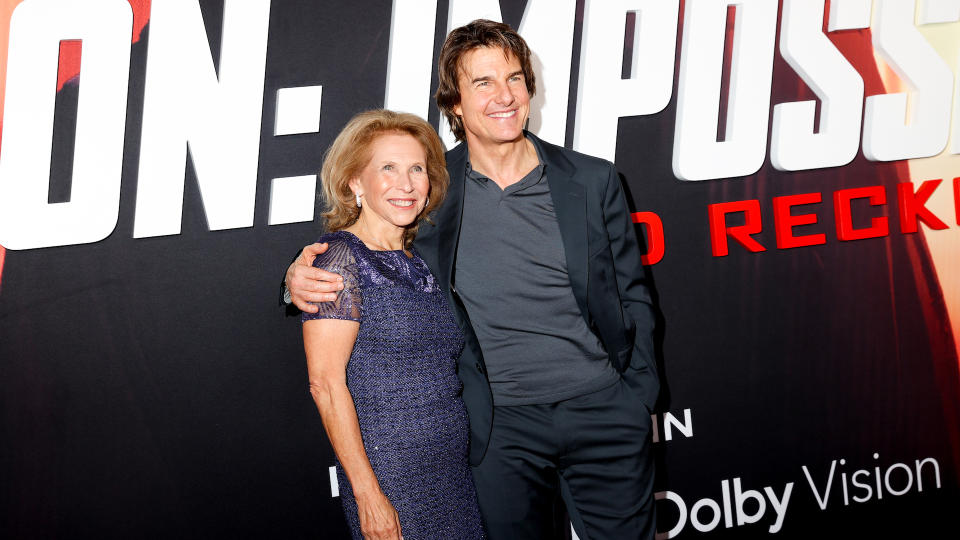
x,y
479,33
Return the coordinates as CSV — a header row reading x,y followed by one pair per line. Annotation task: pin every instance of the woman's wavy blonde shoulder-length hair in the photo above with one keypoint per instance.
x,y
351,152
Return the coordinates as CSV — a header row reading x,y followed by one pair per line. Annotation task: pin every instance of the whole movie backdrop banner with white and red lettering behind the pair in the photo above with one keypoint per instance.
x,y
792,166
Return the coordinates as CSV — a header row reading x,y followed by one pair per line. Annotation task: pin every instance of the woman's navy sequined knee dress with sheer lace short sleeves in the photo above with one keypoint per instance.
x,y
402,376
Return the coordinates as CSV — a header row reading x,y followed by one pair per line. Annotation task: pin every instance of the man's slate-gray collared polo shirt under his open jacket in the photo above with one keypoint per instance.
x,y
511,274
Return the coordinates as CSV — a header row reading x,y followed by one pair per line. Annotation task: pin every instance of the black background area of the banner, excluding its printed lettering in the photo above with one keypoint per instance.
x,y
151,387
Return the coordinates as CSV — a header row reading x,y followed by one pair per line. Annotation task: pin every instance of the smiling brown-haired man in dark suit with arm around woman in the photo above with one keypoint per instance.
x,y
536,251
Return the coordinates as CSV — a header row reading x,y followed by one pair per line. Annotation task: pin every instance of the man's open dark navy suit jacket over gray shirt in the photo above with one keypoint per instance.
x,y
603,261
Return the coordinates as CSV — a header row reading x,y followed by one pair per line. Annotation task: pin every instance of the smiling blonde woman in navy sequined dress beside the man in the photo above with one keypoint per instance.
x,y
382,358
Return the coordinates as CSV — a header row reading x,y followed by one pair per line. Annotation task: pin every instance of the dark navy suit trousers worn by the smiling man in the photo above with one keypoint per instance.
x,y
594,451
